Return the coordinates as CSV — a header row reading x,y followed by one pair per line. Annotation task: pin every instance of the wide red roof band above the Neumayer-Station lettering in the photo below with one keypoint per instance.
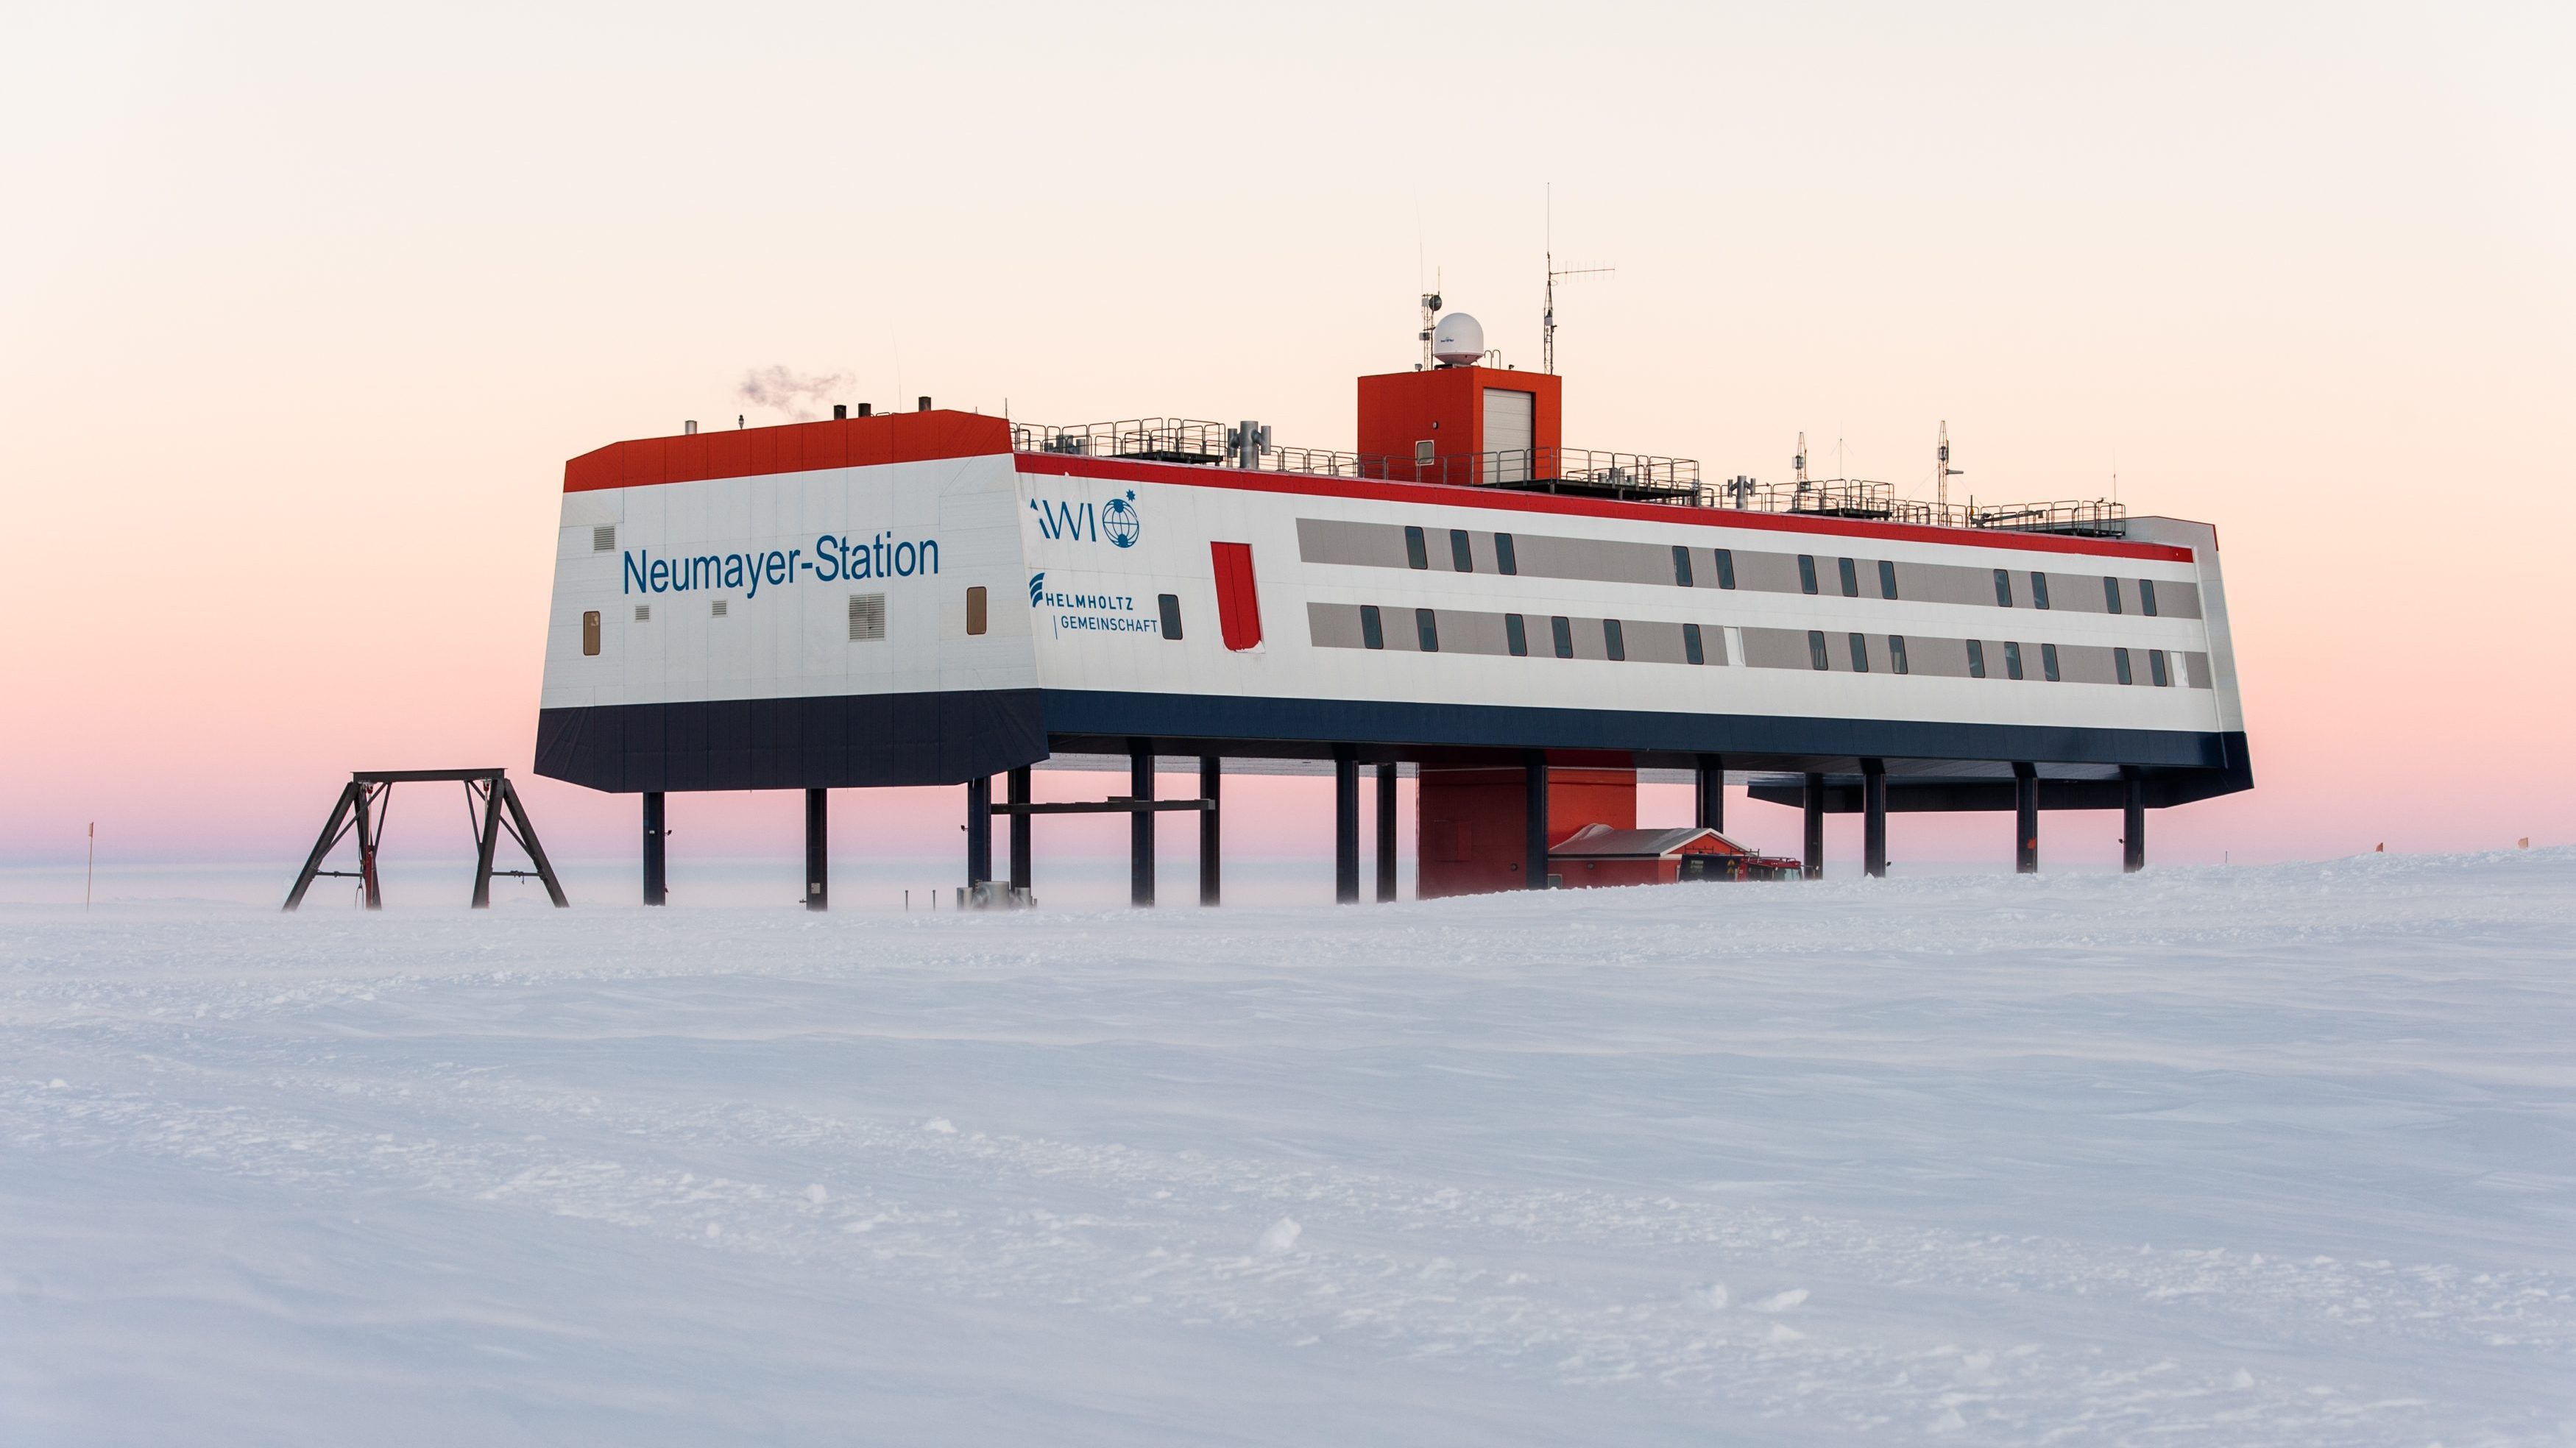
x,y
797,447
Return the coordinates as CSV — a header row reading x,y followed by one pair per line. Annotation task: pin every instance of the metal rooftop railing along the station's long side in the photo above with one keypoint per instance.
x,y
1583,473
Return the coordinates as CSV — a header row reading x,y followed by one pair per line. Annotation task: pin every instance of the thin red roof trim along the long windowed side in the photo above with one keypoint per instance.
x,y
1454,496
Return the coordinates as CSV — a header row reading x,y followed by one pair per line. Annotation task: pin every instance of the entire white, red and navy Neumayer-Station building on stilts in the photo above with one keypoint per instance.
x,y
1526,627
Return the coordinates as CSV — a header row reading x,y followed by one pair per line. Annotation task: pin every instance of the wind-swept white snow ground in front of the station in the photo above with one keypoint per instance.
x,y
2266,1156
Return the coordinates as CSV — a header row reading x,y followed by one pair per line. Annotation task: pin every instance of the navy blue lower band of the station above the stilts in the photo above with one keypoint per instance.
x,y
952,738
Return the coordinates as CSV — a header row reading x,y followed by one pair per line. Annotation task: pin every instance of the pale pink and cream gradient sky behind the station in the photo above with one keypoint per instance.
x,y
305,308
